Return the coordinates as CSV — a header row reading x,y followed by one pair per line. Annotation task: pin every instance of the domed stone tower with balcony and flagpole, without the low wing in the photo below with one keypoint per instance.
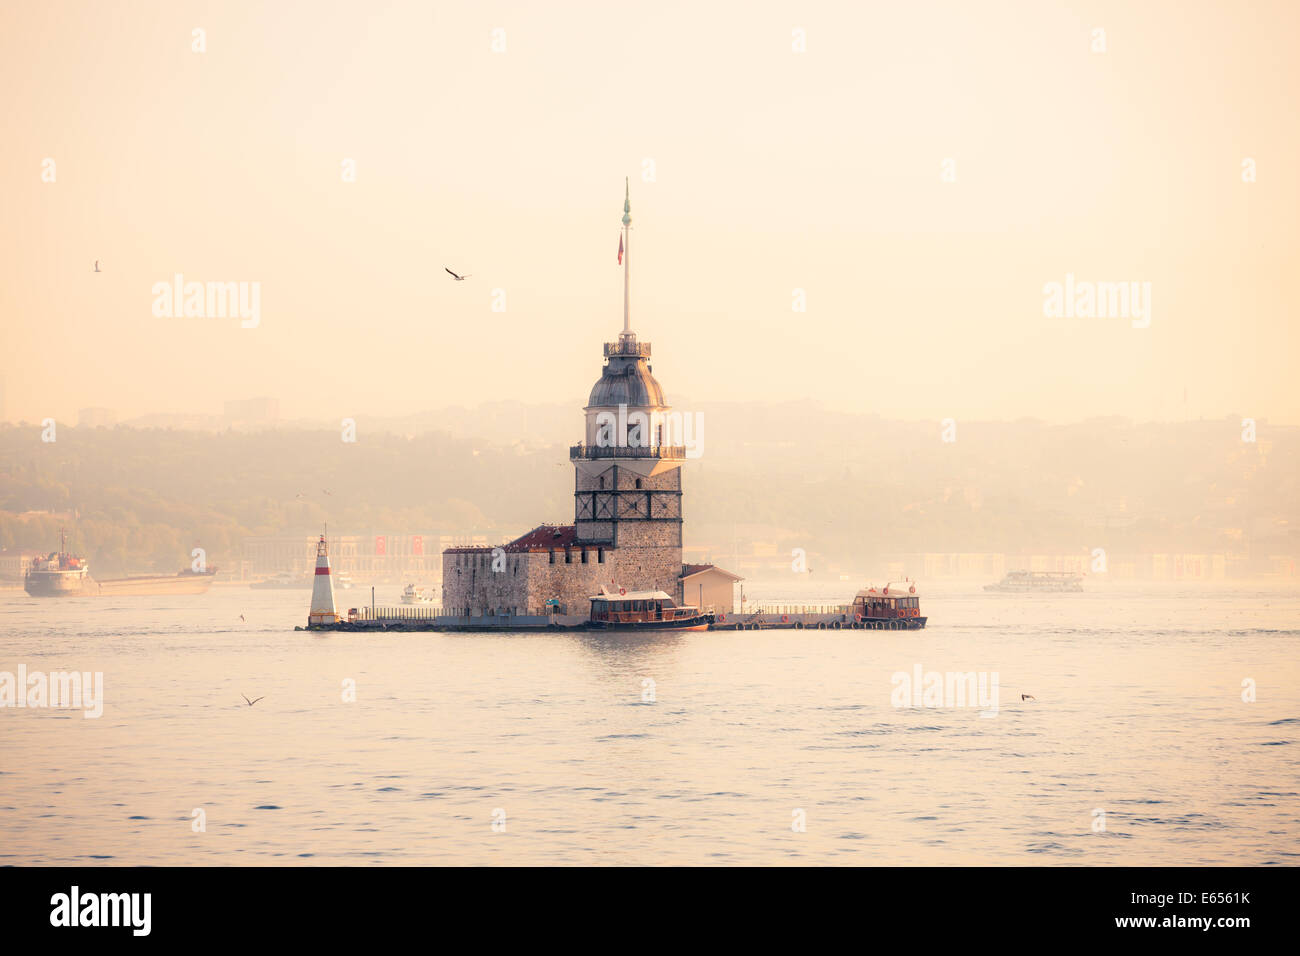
x,y
629,468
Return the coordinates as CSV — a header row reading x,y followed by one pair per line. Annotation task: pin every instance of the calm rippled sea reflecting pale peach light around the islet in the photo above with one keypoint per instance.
x,y
777,747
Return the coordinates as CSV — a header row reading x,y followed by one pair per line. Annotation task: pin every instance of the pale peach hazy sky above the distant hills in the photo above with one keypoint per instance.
x,y
773,171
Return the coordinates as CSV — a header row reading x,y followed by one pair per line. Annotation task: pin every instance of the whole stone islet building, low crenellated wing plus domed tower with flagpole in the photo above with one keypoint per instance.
x,y
627,503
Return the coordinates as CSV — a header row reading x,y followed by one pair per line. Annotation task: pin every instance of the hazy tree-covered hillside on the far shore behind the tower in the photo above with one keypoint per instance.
x,y
843,487
